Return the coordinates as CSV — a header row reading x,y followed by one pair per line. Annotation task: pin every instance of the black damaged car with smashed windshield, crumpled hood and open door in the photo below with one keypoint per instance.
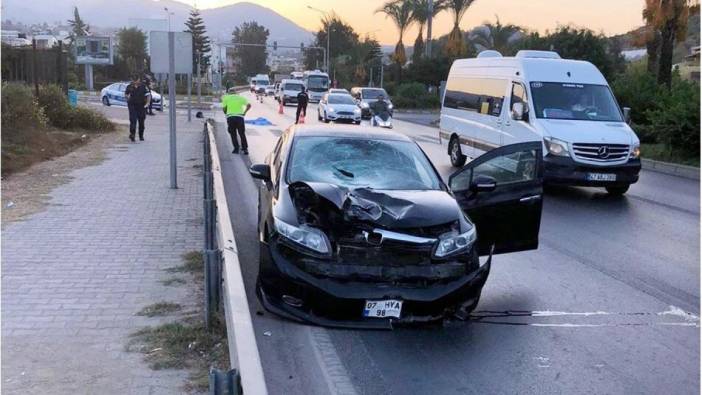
x,y
357,229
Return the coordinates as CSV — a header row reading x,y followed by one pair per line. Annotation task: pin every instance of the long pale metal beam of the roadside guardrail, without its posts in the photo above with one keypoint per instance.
x,y
243,350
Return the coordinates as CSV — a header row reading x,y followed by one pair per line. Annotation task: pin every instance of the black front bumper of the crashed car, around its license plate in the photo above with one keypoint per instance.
x,y
335,295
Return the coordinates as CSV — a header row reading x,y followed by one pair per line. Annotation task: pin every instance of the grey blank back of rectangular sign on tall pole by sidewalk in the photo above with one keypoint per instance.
x,y
158,43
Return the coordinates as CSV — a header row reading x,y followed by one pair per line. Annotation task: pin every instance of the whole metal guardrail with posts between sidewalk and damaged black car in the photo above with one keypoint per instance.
x,y
224,282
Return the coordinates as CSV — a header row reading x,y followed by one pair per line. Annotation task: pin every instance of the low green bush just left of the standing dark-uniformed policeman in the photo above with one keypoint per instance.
x,y
61,115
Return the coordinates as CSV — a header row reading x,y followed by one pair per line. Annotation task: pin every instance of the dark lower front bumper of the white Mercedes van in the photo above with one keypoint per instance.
x,y
565,171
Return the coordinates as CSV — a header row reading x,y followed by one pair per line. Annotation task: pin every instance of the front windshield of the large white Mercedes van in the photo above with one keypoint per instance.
x,y
585,102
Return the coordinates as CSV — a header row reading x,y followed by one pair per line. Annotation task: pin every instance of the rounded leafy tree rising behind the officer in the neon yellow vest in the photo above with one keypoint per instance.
x,y
250,60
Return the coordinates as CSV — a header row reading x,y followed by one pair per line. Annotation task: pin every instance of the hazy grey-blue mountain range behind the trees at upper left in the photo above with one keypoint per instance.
x,y
115,14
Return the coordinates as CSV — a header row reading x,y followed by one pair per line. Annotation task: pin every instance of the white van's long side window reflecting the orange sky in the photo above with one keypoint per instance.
x,y
484,96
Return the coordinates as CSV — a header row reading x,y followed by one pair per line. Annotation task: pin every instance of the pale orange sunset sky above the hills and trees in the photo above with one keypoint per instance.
x,y
608,16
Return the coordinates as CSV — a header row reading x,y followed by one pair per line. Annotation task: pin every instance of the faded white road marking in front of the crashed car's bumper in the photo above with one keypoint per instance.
x,y
335,374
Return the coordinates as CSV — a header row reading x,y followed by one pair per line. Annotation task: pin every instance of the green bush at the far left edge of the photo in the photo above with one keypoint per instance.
x,y
20,110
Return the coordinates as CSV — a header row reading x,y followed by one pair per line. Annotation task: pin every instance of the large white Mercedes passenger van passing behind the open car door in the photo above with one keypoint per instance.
x,y
491,101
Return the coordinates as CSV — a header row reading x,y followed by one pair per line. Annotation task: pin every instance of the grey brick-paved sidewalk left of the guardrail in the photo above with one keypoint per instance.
x,y
74,275
